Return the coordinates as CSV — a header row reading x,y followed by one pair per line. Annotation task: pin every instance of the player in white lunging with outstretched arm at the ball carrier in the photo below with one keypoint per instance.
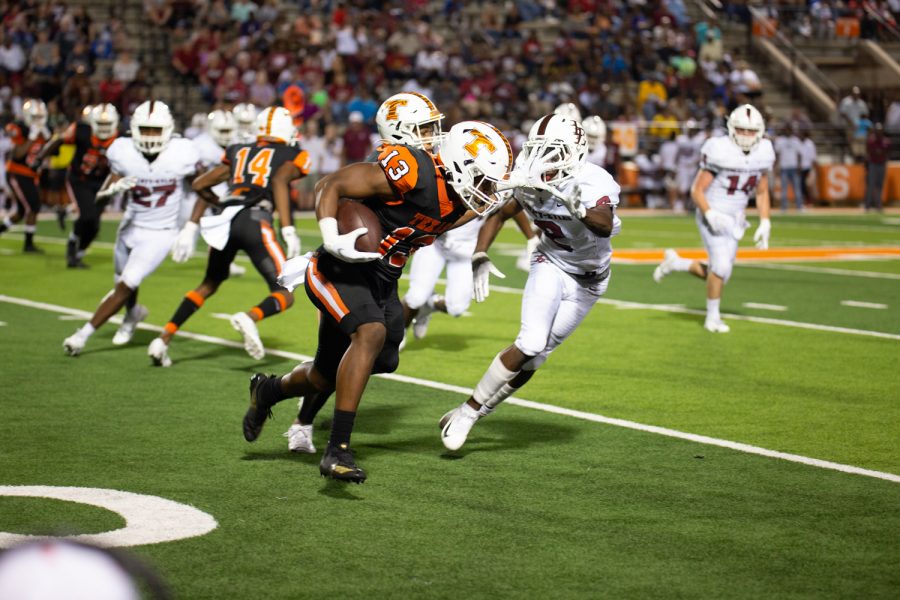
x,y
573,203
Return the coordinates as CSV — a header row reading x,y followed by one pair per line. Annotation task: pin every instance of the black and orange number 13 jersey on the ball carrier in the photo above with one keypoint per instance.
x,y
423,207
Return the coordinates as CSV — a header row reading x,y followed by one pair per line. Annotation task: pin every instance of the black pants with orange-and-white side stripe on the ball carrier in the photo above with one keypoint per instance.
x,y
349,295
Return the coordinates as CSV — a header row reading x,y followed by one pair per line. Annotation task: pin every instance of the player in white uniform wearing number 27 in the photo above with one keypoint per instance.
x,y
151,166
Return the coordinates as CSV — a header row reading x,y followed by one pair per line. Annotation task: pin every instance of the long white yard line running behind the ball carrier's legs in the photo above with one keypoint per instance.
x,y
700,439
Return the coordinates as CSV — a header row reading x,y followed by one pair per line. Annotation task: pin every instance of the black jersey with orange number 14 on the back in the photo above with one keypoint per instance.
x,y
252,167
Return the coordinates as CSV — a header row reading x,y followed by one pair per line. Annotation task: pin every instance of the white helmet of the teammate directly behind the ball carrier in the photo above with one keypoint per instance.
x,y
409,118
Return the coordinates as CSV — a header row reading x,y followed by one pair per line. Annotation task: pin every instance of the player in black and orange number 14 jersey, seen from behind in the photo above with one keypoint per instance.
x,y
253,172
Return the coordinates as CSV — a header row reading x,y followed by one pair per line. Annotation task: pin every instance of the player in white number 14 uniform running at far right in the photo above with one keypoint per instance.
x,y
732,169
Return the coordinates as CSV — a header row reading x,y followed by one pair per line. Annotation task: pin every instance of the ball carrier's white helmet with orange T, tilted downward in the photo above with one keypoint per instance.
x,y
475,157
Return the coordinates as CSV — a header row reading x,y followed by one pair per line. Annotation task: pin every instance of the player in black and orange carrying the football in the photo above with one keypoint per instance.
x,y
416,196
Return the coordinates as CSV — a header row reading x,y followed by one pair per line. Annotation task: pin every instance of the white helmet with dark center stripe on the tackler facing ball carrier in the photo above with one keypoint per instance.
x,y
560,144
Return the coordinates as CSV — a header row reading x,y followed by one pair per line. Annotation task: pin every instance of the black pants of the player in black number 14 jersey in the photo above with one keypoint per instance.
x,y
252,232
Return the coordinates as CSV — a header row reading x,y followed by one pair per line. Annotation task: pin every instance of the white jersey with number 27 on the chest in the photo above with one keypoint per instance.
x,y
155,202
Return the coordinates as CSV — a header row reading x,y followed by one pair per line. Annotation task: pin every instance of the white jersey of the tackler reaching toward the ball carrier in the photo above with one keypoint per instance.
x,y
566,241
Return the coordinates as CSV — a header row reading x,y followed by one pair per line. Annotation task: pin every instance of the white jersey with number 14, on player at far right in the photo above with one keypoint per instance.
x,y
736,174
